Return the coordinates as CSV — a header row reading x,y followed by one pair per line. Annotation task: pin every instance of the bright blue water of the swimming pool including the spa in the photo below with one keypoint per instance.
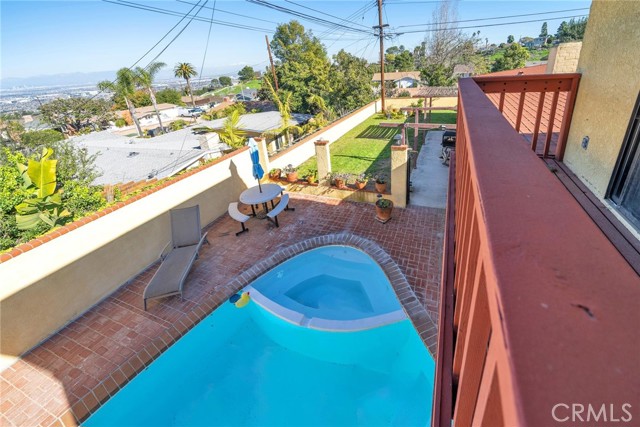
x,y
254,367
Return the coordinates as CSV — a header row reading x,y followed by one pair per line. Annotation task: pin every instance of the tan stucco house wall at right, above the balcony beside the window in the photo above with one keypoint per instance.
x,y
609,63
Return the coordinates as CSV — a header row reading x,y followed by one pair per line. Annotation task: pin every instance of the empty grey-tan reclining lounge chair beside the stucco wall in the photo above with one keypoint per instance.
x,y
186,239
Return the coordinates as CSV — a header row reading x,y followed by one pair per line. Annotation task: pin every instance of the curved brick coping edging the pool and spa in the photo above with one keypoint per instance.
x,y
415,311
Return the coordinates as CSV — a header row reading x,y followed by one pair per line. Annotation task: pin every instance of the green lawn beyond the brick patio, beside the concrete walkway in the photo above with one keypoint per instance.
x,y
367,147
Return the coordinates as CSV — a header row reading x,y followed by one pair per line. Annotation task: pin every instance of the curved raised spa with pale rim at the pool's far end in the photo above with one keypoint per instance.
x,y
334,288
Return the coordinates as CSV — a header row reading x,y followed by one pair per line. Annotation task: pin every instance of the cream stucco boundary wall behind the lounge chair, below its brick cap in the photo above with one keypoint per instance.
x,y
64,277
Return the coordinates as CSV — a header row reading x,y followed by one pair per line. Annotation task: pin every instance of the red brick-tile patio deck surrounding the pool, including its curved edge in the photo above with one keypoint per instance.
x,y
67,377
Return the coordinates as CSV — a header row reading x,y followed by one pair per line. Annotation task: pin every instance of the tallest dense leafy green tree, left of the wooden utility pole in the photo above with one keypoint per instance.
x,y
303,64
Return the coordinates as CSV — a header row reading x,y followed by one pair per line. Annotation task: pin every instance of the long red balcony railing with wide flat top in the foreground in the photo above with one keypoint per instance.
x,y
538,310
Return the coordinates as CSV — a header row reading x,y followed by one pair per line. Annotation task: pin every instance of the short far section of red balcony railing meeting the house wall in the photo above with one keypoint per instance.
x,y
538,106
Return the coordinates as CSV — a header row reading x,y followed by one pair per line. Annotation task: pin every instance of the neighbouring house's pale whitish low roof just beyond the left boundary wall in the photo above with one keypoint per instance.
x,y
122,159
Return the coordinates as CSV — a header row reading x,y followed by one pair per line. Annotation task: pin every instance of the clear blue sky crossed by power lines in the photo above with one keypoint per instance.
x,y
53,37
